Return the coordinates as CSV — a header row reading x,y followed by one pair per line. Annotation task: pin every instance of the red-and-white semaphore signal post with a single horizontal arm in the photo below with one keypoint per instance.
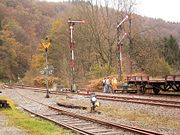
x,y
72,44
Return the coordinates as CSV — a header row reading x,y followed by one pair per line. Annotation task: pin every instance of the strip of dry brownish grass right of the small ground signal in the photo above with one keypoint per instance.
x,y
141,116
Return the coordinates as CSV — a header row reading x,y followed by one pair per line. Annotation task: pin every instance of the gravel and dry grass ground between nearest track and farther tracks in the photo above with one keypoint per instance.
x,y
146,121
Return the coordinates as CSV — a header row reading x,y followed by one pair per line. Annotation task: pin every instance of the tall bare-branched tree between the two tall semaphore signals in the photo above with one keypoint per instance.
x,y
99,34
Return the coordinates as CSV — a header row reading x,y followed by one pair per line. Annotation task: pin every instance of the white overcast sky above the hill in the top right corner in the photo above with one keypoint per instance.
x,y
168,10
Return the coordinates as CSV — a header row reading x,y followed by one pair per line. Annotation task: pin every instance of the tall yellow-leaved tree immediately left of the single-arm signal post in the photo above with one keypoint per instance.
x,y
59,52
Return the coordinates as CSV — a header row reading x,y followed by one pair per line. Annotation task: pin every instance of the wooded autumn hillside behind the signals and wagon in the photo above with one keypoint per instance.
x,y
151,47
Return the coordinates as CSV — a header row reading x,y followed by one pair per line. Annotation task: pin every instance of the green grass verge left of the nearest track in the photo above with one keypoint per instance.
x,y
31,125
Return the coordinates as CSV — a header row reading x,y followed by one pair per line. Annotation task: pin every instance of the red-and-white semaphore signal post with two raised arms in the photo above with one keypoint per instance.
x,y
119,45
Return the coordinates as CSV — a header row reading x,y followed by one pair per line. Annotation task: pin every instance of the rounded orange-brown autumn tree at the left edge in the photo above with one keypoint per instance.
x,y
13,62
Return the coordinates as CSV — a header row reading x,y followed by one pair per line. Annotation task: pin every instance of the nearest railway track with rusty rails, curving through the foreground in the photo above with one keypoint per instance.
x,y
78,122
